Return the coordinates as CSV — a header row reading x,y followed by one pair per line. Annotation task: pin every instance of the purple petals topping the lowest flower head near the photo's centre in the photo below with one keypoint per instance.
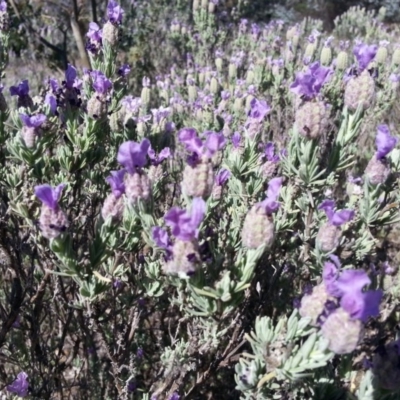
x,y
184,225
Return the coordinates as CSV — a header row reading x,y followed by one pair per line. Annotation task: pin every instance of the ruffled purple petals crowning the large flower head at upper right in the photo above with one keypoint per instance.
x,y
308,84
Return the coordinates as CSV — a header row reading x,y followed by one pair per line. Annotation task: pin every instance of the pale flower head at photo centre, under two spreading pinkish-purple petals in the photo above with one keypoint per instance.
x,y
198,180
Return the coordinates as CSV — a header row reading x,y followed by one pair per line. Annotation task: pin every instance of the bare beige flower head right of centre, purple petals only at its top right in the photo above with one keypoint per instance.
x,y
258,228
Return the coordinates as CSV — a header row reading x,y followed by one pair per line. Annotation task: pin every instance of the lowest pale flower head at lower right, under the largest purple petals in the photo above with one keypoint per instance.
x,y
343,333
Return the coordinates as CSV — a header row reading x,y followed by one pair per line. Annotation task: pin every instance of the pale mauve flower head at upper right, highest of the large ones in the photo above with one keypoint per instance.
x,y
359,90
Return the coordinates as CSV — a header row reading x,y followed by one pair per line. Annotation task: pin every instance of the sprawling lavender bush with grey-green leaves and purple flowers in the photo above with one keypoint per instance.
x,y
224,232
